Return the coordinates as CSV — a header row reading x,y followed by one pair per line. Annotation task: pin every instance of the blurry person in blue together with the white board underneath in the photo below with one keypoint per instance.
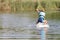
x,y
41,20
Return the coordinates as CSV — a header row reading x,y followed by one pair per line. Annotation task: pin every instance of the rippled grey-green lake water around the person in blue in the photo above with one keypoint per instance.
x,y
21,26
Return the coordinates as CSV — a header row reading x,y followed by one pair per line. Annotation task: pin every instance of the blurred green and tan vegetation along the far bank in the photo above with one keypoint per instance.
x,y
28,5
